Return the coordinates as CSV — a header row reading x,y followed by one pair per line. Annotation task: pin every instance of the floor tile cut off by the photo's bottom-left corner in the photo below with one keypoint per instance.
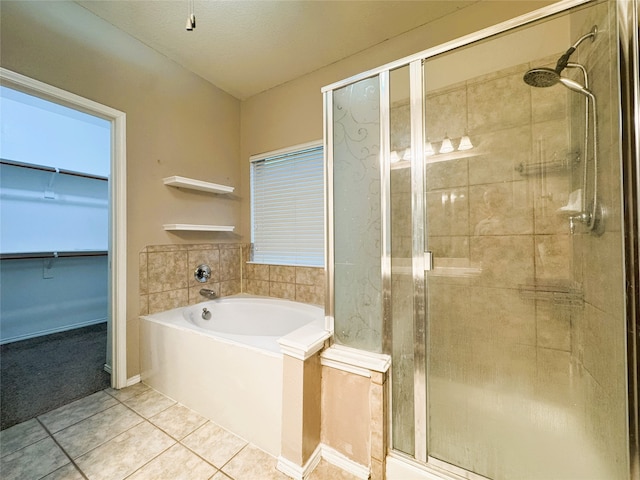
x,y
34,461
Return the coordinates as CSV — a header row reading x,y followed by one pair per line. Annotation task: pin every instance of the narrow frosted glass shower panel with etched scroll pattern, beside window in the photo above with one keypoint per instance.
x,y
356,184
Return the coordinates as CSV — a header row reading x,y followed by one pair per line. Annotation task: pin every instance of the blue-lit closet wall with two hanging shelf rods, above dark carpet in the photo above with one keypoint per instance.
x,y
54,209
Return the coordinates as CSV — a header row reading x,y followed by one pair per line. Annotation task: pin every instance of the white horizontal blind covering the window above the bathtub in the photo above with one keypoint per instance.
x,y
287,207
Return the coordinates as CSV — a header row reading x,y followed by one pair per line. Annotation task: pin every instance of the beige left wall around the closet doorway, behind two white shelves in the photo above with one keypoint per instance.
x,y
177,124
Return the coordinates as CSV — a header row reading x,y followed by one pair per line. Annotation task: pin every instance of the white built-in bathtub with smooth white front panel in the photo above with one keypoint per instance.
x,y
227,368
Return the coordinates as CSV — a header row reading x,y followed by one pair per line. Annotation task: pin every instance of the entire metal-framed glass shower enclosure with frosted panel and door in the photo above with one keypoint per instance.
x,y
478,236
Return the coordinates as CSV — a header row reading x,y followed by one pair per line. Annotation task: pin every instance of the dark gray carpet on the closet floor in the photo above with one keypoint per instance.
x,y
41,374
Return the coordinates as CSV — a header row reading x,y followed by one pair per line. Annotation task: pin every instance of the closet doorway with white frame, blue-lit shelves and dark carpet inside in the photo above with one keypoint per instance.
x,y
63,238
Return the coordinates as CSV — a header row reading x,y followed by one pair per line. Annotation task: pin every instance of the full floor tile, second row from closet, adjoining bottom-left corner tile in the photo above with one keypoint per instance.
x,y
92,432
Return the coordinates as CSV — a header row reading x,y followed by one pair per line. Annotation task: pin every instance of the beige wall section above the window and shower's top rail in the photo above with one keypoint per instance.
x,y
291,114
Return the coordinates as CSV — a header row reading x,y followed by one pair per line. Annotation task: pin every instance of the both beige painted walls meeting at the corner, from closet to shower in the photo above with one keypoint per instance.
x,y
178,124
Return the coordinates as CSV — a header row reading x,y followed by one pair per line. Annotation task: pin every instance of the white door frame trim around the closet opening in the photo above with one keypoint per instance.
x,y
118,207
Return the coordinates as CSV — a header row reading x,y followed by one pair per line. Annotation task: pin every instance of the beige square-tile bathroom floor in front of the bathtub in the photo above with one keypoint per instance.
x,y
134,433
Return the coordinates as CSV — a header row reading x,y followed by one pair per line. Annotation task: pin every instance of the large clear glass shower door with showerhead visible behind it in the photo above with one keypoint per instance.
x,y
525,317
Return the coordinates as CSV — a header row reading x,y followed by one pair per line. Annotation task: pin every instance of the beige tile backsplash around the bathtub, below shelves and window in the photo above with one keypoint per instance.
x,y
166,276
